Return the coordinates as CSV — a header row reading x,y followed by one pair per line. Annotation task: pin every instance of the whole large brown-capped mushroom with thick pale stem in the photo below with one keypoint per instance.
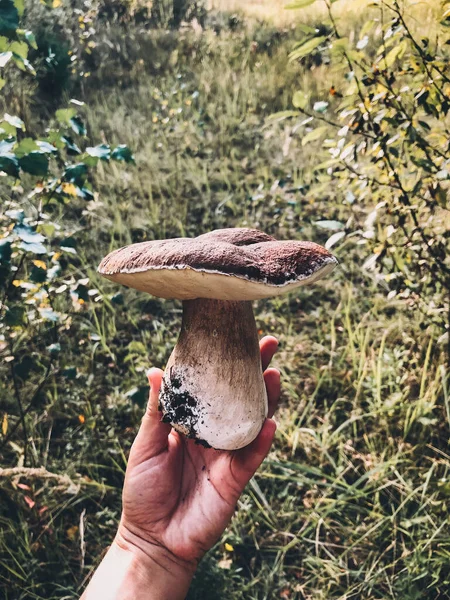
x,y
213,388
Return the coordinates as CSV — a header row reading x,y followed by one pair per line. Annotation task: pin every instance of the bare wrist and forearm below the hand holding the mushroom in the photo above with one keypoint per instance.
x,y
130,573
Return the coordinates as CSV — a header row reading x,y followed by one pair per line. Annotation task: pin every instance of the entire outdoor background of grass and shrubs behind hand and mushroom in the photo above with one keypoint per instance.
x,y
127,120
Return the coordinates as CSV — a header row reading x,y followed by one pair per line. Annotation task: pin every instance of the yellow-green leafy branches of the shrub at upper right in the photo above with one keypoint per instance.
x,y
388,147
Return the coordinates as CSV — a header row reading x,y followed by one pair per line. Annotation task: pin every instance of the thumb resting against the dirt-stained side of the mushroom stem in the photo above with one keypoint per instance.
x,y
153,433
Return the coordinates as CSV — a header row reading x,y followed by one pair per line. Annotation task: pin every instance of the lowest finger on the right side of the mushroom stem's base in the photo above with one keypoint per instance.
x,y
248,459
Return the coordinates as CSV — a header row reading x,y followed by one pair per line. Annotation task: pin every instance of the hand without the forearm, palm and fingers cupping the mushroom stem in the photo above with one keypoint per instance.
x,y
181,495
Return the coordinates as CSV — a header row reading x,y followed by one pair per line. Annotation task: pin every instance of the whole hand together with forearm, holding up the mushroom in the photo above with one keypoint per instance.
x,y
178,497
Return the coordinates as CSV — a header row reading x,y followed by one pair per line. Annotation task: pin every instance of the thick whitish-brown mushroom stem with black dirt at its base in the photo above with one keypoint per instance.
x,y
213,388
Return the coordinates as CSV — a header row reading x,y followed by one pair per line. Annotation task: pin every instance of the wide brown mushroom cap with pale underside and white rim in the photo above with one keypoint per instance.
x,y
227,264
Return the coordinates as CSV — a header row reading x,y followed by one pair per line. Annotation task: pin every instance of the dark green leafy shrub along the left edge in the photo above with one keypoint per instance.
x,y
39,265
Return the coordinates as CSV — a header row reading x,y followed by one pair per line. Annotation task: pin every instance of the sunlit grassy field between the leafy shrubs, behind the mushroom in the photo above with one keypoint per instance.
x,y
352,502
